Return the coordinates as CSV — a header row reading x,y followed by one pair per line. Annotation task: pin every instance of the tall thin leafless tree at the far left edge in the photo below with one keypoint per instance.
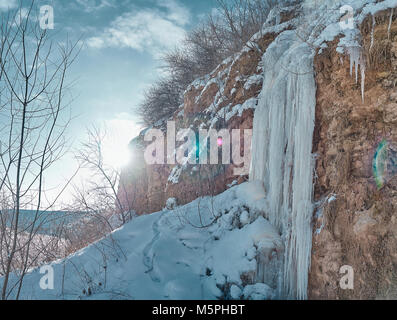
x,y
32,89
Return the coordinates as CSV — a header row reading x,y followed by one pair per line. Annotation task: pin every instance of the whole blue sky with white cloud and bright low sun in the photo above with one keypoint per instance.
x,y
122,43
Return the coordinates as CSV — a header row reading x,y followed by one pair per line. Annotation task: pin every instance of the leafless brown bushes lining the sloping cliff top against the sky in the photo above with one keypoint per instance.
x,y
222,34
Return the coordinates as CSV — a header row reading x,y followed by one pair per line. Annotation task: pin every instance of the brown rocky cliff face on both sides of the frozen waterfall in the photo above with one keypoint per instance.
x,y
355,222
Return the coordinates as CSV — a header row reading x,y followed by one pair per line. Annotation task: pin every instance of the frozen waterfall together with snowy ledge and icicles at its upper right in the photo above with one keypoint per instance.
x,y
284,122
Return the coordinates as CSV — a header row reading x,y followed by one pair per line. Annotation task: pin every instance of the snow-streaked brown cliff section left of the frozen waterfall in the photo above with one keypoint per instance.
x,y
224,99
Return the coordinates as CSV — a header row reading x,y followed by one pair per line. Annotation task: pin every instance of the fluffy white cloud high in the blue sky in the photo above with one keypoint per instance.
x,y
151,30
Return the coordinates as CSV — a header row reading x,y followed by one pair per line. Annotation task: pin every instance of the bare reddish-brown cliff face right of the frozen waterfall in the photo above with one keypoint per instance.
x,y
357,225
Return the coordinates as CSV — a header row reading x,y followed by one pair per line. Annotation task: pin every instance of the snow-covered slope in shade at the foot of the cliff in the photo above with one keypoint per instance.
x,y
211,248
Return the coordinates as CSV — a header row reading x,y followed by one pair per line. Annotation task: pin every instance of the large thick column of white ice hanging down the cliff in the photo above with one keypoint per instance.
x,y
282,152
